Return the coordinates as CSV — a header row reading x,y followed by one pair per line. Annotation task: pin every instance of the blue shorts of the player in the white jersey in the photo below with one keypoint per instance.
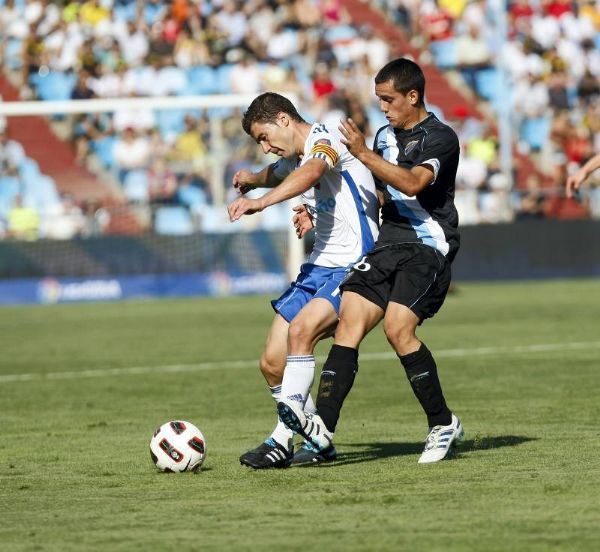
x,y
313,281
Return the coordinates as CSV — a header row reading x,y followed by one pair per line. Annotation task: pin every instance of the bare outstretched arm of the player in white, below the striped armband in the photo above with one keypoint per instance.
x,y
293,185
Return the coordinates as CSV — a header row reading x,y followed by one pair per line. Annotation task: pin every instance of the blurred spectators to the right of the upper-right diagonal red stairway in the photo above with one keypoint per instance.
x,y
552,59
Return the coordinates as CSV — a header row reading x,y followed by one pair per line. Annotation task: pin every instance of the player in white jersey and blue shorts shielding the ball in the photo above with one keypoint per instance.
x,y
345,210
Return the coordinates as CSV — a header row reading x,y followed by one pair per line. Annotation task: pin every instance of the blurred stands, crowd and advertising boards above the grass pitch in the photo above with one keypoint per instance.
x,y
128,199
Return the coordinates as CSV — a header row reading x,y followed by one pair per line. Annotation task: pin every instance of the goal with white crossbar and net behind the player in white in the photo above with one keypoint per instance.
x,y
109,199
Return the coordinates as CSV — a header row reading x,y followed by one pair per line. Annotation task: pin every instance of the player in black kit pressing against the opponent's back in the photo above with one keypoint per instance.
x,y
404,279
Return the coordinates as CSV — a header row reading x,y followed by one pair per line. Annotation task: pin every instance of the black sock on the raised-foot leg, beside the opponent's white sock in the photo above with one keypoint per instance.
x,y
337,378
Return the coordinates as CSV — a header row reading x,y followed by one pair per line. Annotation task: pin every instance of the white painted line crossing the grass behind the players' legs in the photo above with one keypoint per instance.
x,y
228,364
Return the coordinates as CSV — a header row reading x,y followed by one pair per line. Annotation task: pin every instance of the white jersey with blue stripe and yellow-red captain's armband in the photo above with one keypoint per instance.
x,y
345,204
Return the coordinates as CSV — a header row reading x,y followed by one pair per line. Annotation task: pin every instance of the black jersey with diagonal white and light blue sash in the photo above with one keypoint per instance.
x,y
430,217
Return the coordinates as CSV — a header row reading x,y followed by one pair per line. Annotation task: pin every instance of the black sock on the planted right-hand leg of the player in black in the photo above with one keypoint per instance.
x,y
422,374
